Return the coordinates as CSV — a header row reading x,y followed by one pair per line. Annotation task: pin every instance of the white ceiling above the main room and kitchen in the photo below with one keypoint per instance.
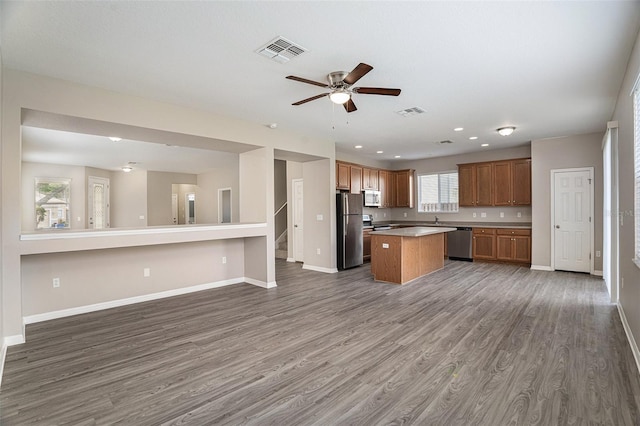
x,y
548,68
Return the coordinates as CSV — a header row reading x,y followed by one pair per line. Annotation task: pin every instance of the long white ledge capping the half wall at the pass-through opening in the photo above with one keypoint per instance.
x,y
62,234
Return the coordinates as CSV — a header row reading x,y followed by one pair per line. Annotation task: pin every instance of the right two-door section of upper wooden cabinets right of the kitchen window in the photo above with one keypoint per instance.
x,y
512,182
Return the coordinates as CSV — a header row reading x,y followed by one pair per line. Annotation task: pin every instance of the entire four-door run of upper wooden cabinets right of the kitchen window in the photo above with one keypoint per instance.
x,y
497,183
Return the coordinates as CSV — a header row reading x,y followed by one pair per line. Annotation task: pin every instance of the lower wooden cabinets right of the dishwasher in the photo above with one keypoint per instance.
x,y
502,244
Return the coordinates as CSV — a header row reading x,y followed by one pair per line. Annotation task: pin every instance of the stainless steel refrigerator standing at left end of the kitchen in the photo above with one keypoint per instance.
x,y
349,210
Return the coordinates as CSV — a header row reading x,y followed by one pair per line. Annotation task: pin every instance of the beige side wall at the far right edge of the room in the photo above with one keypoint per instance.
x,y
629,295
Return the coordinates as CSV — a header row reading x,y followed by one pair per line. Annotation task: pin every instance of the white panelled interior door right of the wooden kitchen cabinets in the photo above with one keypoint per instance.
x,y
572,220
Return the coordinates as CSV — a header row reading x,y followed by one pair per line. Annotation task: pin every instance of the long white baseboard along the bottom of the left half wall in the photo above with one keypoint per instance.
x,y
31,319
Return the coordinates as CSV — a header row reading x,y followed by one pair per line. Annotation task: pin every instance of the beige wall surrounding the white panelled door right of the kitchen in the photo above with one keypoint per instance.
x,y
562,153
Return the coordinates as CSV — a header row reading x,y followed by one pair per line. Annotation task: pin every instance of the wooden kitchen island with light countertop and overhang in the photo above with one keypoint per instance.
x,y
402,255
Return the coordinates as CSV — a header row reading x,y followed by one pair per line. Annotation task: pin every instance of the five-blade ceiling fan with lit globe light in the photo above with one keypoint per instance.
x,y
340,83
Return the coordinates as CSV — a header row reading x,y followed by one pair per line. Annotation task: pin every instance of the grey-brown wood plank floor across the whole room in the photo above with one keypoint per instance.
x,y
473,344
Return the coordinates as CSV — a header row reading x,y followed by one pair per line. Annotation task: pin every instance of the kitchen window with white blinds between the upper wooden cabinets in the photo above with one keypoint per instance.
x,y
438,192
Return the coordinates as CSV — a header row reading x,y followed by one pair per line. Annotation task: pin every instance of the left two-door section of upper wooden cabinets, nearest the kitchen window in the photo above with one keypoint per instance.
x,y
475,184
